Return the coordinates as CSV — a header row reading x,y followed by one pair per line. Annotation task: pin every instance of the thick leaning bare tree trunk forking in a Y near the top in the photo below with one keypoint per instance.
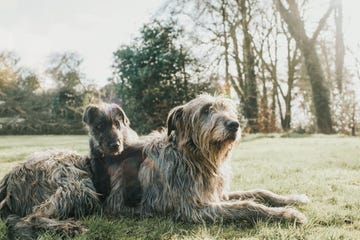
x,y
320,93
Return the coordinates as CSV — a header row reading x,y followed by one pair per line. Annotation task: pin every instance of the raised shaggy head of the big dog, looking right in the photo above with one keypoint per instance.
x,y
208,124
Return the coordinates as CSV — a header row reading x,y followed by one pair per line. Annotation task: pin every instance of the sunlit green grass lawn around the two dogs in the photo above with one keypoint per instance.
x,y
326,168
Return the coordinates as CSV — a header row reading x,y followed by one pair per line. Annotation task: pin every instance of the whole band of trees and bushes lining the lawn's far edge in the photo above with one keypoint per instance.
x,y
284,75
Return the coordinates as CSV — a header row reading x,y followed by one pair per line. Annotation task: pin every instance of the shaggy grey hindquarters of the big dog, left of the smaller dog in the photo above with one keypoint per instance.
x,y
49,186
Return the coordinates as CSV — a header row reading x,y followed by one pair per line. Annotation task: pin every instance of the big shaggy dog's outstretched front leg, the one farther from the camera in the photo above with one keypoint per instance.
x,y
268,197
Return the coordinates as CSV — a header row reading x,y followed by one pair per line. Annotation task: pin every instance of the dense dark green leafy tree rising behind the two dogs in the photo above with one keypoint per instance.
x,y
154,74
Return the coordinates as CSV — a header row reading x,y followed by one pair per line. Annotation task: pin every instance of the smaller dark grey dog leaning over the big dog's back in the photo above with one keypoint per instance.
x,y
110,136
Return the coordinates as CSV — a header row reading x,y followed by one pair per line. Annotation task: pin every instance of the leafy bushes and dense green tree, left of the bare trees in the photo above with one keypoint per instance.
x,y
151,76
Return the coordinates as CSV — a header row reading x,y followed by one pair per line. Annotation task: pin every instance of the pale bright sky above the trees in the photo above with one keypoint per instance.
x,y
95,29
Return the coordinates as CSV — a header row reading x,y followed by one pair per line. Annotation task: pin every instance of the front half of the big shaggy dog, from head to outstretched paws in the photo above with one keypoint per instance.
x,y
185,171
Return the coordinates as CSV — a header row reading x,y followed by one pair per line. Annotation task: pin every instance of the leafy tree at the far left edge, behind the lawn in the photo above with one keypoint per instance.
x,y
21,110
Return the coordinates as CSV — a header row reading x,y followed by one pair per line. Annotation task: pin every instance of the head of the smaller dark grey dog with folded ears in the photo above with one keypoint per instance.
x,y
107,124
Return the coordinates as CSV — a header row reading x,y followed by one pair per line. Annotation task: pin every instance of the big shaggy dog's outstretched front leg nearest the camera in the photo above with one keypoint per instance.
x,y
249,211
